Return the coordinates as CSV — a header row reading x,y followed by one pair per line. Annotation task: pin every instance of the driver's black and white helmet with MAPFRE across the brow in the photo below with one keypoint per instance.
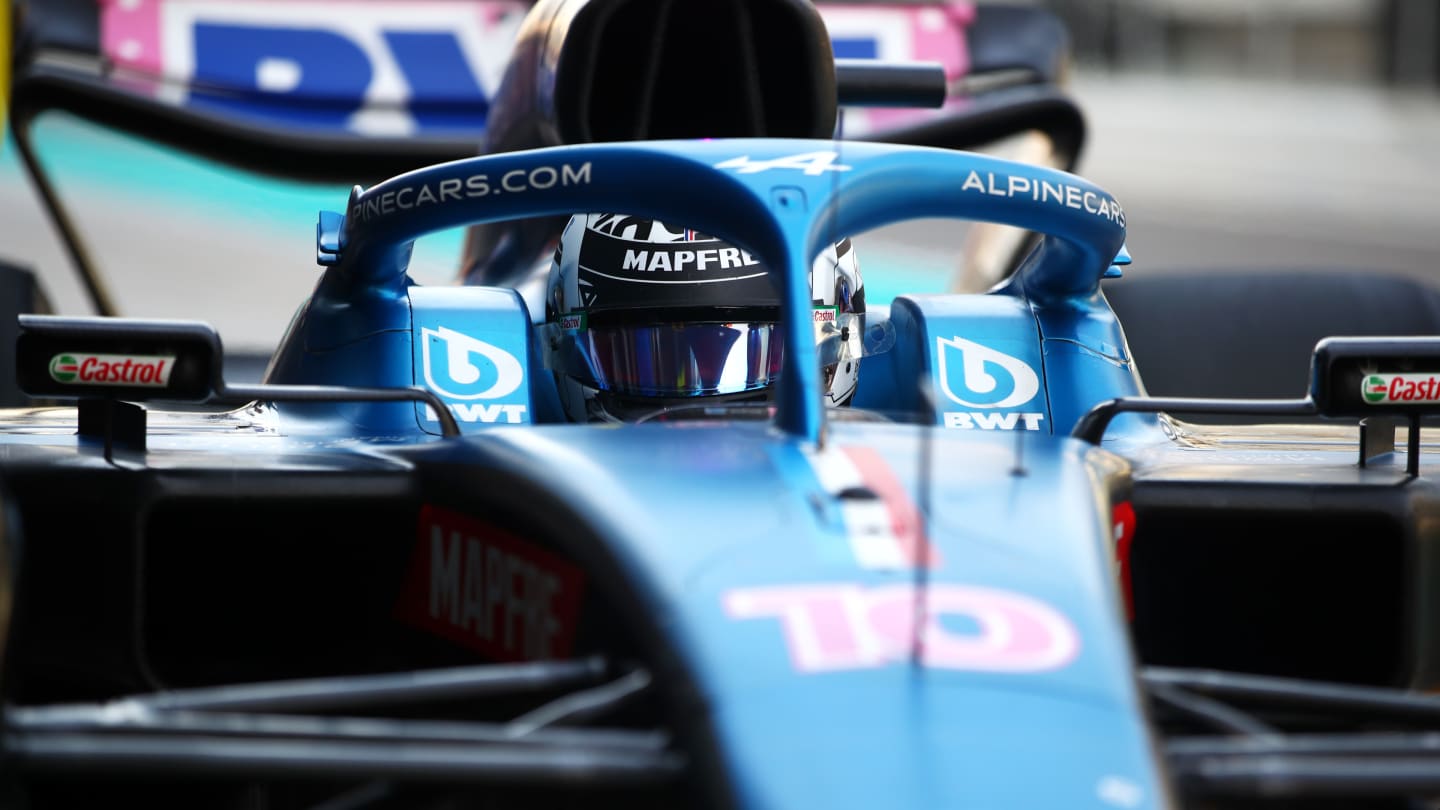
x,y
644,316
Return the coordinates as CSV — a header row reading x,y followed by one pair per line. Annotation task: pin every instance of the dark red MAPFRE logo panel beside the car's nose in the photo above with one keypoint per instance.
x,y
485,589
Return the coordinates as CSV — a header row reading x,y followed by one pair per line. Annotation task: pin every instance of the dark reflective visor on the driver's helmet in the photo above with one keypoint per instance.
x,y
682,360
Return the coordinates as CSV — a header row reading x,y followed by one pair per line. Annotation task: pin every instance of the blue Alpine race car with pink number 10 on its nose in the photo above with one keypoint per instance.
x,y
402,573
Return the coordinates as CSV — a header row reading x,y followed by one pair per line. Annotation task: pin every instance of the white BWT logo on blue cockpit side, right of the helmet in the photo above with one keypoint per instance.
x,y
981,378
